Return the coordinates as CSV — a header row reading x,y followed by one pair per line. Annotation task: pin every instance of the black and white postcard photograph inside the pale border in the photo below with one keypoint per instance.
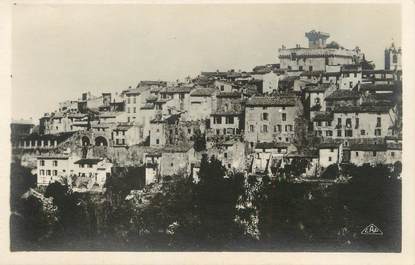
x,y
271,127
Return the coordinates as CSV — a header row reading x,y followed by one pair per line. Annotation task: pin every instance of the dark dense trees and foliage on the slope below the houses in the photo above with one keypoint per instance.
x,y
221,212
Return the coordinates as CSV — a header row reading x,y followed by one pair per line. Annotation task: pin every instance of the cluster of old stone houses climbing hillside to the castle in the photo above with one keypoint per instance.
x,y
322,103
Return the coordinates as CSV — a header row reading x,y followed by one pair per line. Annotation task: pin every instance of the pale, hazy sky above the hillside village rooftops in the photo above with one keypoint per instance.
x,y
61,51
